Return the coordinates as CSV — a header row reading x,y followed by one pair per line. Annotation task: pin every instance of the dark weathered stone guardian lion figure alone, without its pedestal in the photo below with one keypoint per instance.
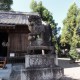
x,y
40,34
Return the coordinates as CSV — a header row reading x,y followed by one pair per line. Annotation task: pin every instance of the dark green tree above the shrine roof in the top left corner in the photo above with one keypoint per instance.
x,y
6,4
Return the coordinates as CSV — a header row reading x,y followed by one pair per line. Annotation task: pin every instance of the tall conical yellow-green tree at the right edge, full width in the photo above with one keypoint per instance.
x,y
71,23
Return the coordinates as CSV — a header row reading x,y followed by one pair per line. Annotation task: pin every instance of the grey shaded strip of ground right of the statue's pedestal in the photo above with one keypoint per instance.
x,y
65,63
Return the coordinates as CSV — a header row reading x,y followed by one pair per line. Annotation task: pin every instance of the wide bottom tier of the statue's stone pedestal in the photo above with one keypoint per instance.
x,y
53,73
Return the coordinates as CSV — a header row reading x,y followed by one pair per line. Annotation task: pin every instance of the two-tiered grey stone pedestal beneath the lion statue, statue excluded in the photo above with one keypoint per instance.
x,y
41,67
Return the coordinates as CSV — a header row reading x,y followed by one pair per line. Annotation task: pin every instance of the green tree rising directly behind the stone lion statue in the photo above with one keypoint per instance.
x,y
45,15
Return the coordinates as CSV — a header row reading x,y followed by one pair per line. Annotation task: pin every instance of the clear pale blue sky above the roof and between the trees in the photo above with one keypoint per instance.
x,y
58,8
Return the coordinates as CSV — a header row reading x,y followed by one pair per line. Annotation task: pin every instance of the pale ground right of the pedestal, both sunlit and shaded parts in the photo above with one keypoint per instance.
x,y
71,70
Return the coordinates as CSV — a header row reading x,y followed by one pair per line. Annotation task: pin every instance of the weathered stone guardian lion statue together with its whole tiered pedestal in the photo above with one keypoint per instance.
x,y
41,60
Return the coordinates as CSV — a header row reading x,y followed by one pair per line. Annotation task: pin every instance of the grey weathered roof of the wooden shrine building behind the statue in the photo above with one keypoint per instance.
x,y
15,17
